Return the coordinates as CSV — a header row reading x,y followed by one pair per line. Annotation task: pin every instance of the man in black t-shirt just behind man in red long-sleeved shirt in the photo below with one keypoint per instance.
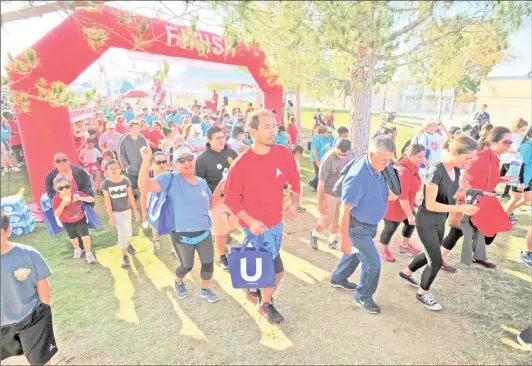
x,y
210,166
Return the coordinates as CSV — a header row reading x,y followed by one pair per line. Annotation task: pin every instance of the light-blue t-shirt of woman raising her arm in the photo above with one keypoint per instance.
x,y
190,202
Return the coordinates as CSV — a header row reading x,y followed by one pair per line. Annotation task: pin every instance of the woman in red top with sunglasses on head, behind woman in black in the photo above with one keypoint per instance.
x,y
483,174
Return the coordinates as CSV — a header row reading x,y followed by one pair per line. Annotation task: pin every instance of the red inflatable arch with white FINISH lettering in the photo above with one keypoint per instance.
x,y
64,54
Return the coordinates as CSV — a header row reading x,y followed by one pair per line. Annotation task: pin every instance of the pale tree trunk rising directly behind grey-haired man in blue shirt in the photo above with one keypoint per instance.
x,y
361,93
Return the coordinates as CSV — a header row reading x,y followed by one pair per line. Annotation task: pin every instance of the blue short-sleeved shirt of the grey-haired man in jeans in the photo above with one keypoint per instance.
x,y
365,189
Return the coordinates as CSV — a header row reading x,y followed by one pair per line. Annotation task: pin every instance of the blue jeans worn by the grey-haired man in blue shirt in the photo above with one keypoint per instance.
x,y
364,252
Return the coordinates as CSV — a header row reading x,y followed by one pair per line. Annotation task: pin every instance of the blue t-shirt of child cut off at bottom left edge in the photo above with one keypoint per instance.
x,y
21,268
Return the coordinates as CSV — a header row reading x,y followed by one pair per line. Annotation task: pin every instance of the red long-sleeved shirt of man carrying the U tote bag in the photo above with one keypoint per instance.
x,y
256,184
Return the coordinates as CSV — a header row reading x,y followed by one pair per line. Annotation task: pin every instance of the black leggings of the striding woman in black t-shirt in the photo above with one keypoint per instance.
x,y
431,238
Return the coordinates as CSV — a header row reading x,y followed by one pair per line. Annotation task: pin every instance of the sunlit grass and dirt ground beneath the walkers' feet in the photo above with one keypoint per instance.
x,y
104,314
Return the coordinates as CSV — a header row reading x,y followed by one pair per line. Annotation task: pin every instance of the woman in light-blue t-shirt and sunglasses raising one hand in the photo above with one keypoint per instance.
x,y
190,199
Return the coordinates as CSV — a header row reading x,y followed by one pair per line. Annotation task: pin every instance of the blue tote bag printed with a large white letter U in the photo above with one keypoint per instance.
x,y
251,267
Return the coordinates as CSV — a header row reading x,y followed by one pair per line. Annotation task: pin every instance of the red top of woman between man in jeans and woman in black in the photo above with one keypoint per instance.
x,y
410,183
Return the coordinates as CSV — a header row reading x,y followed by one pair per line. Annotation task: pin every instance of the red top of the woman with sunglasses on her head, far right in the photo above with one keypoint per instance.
x,y
484,166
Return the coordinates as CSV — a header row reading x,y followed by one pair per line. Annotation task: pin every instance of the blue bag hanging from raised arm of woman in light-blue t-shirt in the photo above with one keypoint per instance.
x,y
160,215
